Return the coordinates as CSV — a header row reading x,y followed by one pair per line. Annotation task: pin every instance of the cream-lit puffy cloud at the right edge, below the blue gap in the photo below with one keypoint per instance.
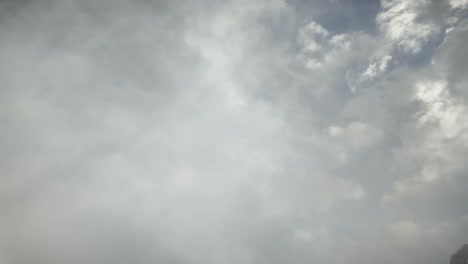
x,y
441,120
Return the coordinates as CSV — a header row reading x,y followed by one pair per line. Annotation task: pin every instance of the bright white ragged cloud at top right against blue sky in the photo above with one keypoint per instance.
x,y
409,32
